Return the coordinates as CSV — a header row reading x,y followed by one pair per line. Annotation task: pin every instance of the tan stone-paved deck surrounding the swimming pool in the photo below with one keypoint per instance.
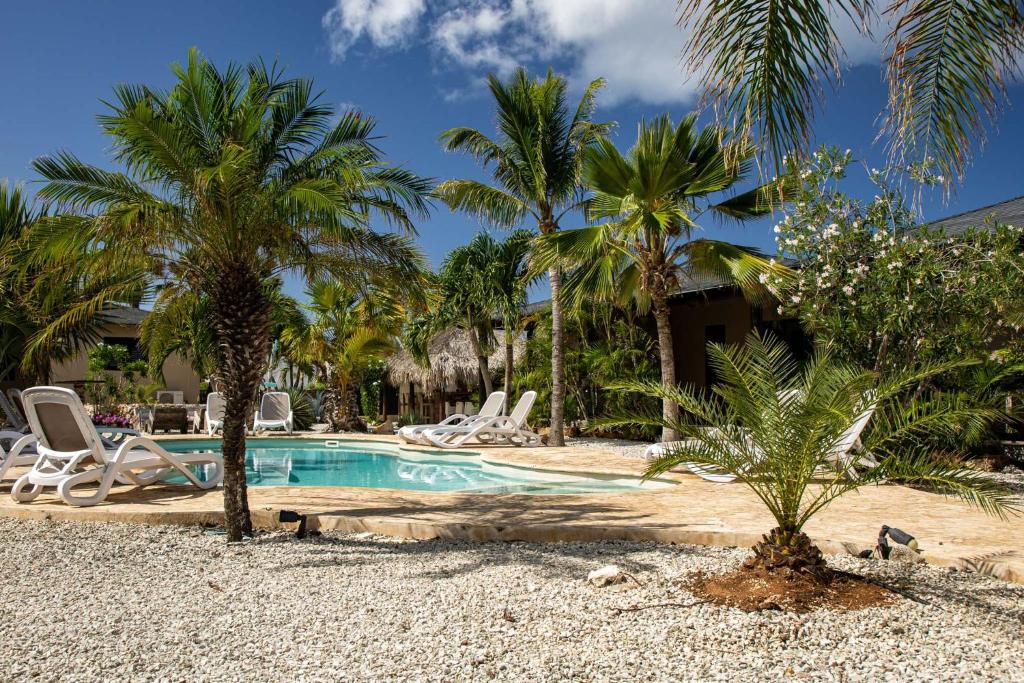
x,y
692,511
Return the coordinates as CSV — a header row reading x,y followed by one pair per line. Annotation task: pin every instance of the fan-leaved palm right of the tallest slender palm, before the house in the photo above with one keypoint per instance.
x,y
653,198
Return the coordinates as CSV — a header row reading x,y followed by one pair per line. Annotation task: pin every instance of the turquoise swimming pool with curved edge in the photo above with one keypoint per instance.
x,y
296,462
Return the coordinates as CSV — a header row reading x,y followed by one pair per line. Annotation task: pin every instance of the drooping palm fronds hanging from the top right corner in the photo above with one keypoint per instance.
x,y
948,62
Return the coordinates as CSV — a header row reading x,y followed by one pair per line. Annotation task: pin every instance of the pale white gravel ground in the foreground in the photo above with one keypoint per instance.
x,y
110,603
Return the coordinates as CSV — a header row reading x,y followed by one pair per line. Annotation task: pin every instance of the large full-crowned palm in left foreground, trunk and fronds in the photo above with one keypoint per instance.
x,y
232,178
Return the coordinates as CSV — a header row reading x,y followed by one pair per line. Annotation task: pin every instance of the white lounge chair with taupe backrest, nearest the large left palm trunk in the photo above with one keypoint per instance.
x,y
72,453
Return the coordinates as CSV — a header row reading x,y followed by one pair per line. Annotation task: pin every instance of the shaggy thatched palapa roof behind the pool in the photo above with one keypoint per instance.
x,y
452,361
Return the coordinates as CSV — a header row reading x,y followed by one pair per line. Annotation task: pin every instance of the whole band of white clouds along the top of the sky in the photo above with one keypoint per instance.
x,y
635,45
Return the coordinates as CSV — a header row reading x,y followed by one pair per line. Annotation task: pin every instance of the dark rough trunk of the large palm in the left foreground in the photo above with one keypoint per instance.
x,y
241,318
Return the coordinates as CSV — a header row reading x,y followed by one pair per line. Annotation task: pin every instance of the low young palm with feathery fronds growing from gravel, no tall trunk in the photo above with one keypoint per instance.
x,y
780,429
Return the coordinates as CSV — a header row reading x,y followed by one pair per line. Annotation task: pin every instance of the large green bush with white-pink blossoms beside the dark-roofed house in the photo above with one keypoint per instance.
x,y
888,292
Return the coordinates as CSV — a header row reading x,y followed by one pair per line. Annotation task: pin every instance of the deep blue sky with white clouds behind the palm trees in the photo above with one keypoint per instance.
x,y
418,68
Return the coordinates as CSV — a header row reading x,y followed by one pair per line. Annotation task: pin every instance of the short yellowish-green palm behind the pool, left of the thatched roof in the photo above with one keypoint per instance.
x,y
350,328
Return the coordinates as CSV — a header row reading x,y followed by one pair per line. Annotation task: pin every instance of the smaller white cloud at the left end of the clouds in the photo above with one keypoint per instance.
x,y
386,23
